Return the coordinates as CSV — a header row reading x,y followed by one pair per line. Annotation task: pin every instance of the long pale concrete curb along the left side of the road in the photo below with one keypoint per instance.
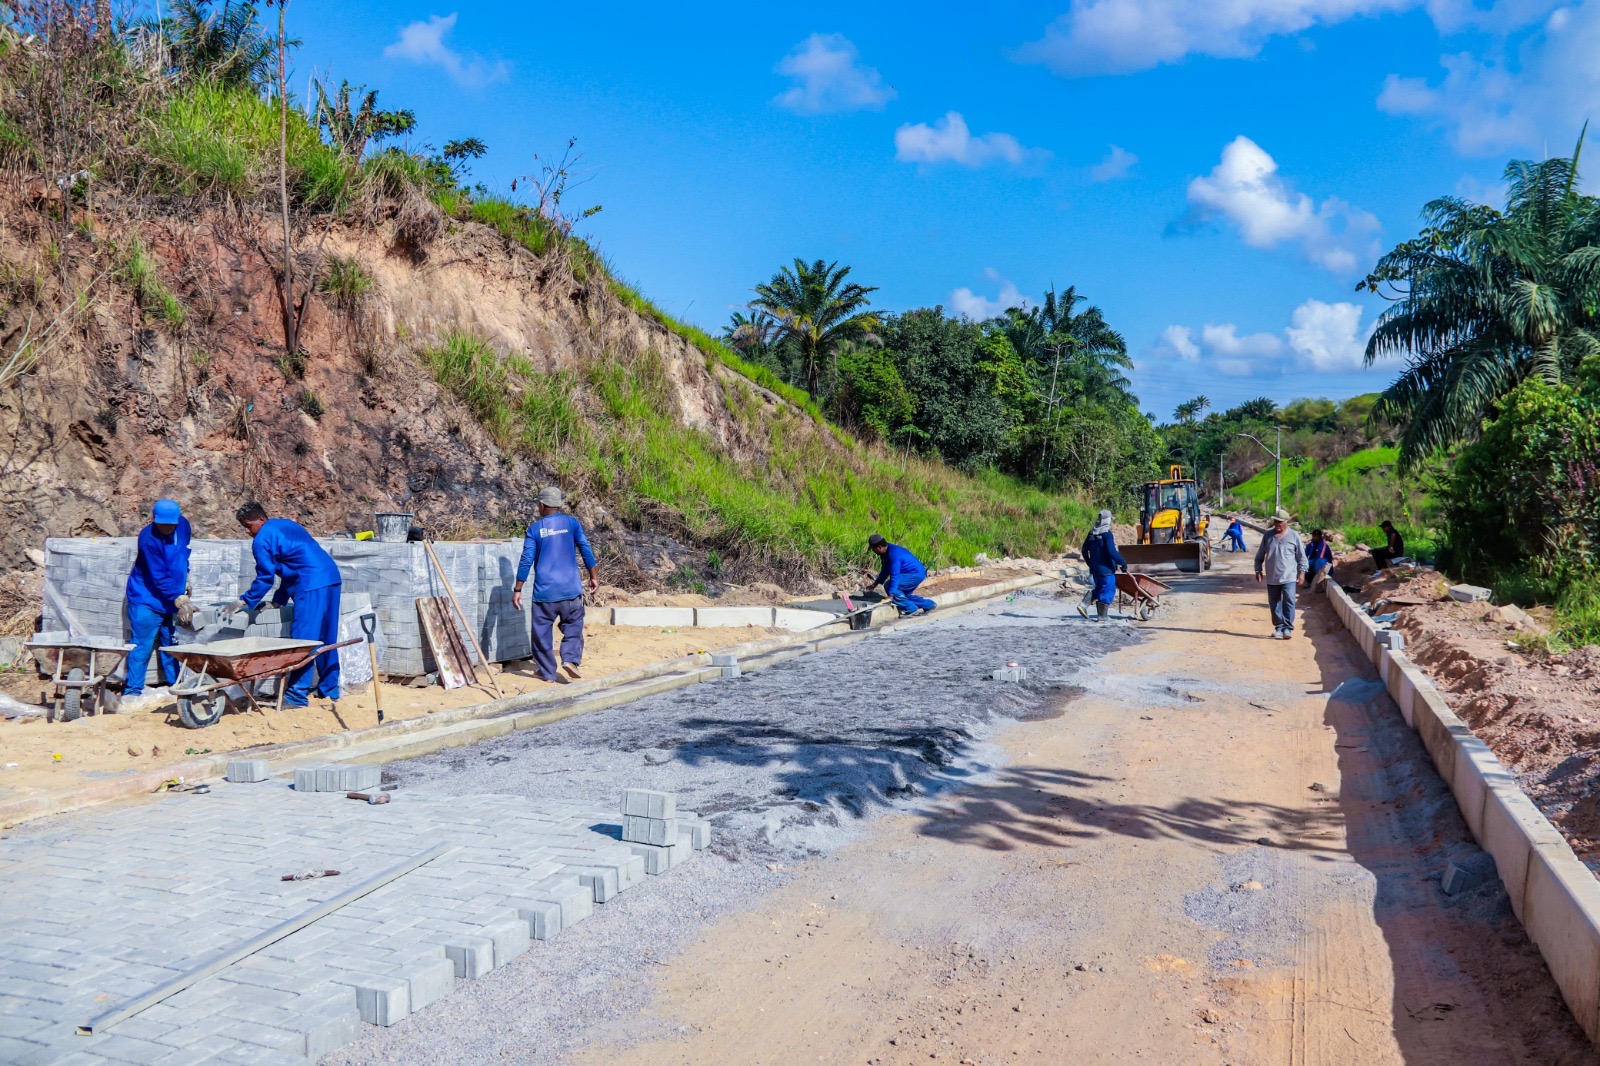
x,y
455,727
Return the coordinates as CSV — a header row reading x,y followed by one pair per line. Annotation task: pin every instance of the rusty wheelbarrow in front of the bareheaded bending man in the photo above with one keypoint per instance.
x,y
244,663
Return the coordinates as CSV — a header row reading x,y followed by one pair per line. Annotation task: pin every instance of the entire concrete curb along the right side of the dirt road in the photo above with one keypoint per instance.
x,y
1553,894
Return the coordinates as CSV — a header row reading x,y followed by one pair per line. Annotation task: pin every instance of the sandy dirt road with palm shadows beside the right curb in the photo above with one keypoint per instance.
x,y
1225,851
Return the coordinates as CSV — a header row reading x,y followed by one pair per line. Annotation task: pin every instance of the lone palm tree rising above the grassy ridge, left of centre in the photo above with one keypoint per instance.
x,y
815,311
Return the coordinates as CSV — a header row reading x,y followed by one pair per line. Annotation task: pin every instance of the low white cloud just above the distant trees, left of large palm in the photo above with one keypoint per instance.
x,y
1322,339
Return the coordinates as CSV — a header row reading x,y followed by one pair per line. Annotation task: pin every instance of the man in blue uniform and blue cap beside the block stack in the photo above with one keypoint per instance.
x,y
158,595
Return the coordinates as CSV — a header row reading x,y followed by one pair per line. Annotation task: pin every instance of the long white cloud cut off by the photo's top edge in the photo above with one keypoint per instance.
x,y
1126,36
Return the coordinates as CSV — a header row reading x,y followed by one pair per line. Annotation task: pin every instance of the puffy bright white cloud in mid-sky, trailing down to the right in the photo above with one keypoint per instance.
x,y
1247,191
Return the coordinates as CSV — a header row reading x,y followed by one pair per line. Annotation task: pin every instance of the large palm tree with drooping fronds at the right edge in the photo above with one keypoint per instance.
x,y
1486,300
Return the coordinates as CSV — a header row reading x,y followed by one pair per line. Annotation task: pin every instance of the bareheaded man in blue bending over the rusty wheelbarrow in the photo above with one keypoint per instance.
x,y
308,577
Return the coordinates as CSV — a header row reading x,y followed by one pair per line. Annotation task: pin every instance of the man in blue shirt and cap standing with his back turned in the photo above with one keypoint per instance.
x,y
551,551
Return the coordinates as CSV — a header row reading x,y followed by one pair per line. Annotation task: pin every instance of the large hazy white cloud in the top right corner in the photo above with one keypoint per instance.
x,y
1490,106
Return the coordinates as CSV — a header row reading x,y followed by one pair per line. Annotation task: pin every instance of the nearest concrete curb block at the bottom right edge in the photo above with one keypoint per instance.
x,y
1562,916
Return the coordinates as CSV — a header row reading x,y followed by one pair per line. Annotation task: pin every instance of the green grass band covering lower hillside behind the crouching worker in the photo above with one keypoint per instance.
x,y
806,508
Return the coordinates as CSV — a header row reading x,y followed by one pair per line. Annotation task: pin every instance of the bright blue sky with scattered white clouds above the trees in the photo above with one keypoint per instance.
x,y
1217,177
